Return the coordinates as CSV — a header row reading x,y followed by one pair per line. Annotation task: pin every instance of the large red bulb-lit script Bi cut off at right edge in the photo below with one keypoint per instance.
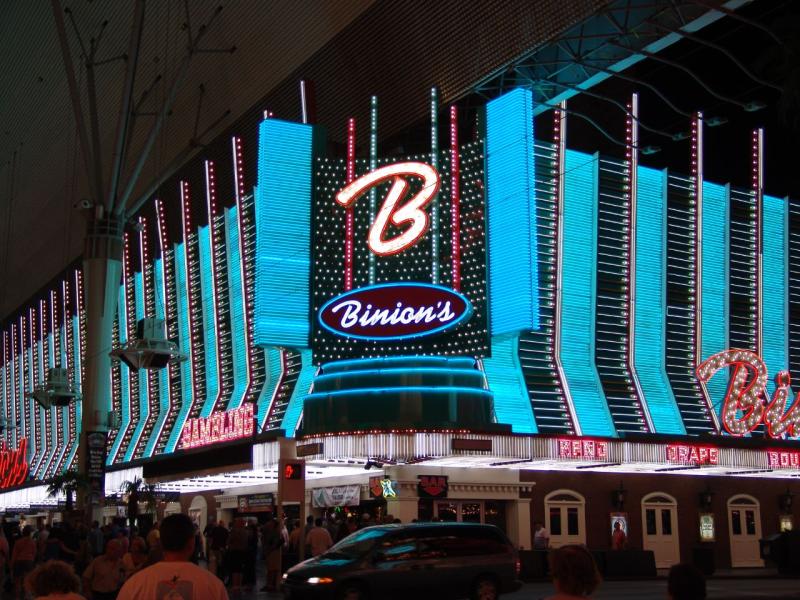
x,y
747,402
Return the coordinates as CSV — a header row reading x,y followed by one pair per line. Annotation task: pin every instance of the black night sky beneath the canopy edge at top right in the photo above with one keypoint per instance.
x,y
727,147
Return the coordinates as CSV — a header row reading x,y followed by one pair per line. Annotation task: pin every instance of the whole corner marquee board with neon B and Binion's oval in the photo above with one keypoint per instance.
x,y
403,300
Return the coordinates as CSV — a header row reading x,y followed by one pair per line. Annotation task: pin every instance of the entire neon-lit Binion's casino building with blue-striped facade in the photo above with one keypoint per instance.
x,y
498,329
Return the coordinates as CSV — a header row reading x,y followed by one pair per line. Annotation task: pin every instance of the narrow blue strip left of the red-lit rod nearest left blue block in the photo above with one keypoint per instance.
x,y
237,303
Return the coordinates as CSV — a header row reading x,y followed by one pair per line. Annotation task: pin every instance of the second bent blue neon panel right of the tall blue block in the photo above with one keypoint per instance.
x,y
650,357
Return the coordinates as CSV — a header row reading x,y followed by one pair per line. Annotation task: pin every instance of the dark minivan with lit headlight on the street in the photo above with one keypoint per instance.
x,y
422,560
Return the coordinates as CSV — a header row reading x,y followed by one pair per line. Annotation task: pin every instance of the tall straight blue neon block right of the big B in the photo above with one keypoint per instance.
x,y
511,208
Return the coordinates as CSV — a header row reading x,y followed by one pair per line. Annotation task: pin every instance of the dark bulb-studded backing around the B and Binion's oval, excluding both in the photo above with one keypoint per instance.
x,y
414,264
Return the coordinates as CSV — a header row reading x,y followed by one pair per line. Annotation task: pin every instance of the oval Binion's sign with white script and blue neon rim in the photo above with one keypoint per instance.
x,y
393,311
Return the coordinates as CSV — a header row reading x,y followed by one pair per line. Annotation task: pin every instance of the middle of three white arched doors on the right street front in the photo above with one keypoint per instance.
x,y
660,528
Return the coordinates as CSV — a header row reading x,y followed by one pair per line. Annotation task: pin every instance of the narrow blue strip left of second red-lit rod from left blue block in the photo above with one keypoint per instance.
x,y
209,320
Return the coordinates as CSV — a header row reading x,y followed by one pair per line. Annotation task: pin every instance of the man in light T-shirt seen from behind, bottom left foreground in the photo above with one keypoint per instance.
x,y
174,578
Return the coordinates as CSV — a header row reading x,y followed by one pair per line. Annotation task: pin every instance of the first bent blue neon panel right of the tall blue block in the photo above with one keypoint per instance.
x,y
579,294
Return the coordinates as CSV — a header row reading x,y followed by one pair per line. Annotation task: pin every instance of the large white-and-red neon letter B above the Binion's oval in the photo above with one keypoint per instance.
x,y
411,213
